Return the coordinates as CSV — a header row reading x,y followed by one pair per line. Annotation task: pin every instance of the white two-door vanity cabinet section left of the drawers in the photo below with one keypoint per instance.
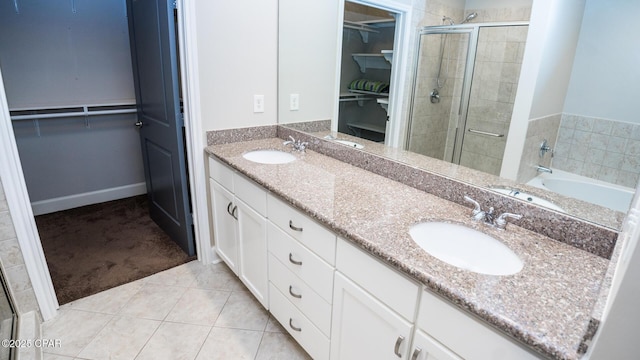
x,y
240,227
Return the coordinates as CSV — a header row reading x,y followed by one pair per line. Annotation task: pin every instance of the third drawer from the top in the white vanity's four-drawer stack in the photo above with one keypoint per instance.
x,y
301,295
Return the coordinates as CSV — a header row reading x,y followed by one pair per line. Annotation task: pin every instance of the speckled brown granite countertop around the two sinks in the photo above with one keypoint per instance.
x,y
547,306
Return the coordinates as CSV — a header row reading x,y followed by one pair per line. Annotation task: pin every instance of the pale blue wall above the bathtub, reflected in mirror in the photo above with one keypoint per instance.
x,y
605,82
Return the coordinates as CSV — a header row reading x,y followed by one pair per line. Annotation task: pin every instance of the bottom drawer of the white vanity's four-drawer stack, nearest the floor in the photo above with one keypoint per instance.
x,y
307,335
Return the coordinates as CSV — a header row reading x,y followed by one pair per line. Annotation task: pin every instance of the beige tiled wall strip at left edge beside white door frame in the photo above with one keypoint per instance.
x,y
13,261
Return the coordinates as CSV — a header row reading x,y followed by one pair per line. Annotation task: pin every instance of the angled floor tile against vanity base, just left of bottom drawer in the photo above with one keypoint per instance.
x,y
243,311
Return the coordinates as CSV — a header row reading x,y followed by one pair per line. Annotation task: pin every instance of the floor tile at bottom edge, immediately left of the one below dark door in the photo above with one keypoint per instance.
x,y
121,339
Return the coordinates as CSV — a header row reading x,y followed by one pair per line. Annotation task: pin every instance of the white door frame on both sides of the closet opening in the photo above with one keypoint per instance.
x,y
16,190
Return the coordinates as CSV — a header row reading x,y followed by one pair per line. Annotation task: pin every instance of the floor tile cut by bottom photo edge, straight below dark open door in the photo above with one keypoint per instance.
x,y
175,342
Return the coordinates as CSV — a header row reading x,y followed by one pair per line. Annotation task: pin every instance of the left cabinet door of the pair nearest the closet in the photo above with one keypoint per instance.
x,y
225,224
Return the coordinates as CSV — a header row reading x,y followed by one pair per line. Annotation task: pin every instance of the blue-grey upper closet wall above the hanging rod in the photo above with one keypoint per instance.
x,y
51,56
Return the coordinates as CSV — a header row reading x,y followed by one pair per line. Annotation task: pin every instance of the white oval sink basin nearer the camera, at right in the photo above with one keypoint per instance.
x,y
466,248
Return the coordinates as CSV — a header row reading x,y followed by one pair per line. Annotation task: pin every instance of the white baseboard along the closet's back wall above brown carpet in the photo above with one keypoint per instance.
x,y
93,197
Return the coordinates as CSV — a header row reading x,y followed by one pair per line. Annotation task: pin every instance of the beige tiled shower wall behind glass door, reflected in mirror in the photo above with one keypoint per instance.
x,y
433,125
